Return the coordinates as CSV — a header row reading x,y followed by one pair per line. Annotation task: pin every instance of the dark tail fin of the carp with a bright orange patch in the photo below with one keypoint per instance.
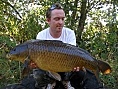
x,y
104,67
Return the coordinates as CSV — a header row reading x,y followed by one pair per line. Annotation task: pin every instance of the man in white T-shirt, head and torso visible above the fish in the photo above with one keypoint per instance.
x,y
55,18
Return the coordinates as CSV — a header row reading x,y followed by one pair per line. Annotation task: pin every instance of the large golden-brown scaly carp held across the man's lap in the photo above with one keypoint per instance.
x,y
56,56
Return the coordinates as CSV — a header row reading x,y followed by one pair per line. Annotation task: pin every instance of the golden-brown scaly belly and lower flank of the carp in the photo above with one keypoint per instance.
x,y
59,62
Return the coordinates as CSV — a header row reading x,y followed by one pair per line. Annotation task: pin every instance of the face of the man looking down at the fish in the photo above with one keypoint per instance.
x,y
56,22
